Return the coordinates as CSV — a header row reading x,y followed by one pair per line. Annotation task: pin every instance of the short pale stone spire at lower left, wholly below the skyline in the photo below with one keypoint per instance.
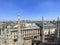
x,y
8,35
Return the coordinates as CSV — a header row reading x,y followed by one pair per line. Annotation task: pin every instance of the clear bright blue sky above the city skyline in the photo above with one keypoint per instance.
x,y
29,9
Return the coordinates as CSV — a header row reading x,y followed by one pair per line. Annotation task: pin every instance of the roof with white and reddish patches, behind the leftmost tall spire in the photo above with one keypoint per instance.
x,y
24,26
